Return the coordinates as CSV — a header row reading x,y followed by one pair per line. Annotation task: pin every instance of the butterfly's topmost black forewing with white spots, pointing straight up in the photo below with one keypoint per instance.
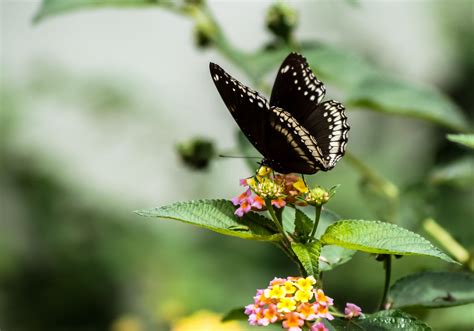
x,y
296,88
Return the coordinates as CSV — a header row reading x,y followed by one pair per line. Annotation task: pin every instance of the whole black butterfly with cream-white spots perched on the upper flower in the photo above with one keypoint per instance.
x,y
294,132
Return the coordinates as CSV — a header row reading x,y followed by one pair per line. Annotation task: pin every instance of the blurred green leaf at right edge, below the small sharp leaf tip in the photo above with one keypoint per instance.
x,y
458,173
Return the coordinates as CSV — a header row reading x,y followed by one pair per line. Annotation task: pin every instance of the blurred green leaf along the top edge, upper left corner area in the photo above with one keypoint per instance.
x,y
55,7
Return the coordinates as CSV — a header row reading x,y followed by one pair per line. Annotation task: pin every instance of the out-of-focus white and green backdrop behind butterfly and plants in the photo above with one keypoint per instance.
x,y
94,103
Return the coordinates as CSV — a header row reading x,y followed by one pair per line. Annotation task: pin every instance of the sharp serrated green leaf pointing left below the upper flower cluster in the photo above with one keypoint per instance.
x,y
218,216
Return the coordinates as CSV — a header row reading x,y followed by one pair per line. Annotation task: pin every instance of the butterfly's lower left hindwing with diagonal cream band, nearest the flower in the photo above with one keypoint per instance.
x,y
292,147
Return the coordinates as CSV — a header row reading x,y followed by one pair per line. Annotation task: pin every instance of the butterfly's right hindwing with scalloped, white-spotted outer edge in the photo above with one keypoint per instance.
x,y
327,124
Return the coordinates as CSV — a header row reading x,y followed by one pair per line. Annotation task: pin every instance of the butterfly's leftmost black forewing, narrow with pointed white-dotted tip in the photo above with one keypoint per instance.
x,y
248,107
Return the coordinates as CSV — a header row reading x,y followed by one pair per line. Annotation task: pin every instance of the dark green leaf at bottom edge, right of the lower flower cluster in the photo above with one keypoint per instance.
x,y
383,320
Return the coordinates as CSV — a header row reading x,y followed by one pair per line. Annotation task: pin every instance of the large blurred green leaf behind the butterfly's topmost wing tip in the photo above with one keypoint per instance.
x,y
366,86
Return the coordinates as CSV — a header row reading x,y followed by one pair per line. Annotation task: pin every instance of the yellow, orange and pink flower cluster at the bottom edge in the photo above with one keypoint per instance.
x,y
295,301
